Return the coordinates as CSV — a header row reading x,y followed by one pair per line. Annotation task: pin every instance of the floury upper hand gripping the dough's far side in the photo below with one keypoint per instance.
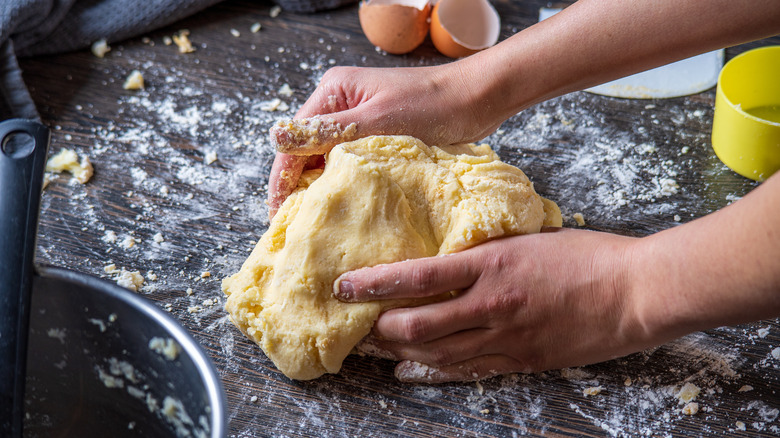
x,y
430,103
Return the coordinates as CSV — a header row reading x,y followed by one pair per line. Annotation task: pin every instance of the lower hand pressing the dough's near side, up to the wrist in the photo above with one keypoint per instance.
x,y
526,304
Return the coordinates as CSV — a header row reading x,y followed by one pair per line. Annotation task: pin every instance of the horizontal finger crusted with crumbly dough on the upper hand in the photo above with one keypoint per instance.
x,y
310,136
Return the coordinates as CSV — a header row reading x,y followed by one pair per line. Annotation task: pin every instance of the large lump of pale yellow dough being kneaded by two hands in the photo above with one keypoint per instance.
x,y
379,200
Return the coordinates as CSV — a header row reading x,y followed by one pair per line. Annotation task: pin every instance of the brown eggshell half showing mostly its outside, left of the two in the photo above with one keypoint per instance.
x,y
395,26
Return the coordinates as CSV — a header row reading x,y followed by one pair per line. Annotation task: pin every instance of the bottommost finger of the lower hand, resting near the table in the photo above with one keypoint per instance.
x,y
471,370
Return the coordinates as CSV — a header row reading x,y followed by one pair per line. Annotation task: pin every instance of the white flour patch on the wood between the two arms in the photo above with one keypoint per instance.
x,y
626,175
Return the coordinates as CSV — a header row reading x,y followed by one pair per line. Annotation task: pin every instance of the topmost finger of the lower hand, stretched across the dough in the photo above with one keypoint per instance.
x,y
408,279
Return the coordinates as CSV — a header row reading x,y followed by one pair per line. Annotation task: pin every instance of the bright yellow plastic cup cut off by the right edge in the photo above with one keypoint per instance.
x,y
746,125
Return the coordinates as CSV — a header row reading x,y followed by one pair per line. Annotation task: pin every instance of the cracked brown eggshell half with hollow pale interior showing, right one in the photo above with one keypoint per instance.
x,y
463,27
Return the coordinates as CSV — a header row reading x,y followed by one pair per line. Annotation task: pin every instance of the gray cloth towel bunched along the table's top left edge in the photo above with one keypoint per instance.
x,y
38,27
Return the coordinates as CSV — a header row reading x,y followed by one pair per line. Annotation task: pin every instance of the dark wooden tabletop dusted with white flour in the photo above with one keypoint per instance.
x,y
604,157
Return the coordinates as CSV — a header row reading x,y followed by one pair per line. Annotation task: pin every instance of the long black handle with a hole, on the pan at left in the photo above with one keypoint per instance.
x,y
23,148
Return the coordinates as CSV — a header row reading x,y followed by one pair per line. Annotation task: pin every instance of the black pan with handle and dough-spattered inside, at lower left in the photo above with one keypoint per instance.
x,y
81,356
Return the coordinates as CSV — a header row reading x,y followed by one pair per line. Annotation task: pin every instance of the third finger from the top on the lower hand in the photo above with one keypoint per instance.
x,y
458,347
